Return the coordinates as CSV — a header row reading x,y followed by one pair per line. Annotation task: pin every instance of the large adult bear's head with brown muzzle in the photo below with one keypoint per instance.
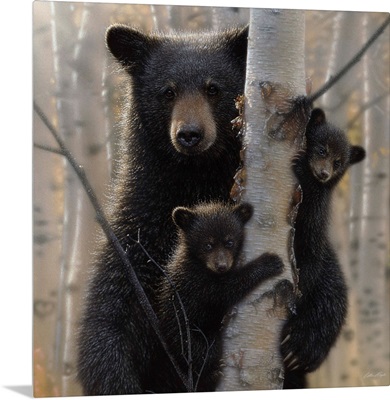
x,y
188,83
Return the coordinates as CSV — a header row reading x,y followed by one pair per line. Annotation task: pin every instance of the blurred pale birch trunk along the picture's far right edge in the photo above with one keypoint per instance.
x,y
373,254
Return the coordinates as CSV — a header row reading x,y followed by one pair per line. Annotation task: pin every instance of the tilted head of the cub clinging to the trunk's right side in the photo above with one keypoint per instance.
x,y
328,150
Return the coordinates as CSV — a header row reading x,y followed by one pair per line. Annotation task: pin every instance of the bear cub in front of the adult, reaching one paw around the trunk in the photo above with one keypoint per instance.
x,y
204,281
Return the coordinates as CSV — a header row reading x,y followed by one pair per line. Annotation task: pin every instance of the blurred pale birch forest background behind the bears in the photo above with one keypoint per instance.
x,y
77,85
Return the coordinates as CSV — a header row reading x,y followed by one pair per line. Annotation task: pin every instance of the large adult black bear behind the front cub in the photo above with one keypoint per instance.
x,y
177,148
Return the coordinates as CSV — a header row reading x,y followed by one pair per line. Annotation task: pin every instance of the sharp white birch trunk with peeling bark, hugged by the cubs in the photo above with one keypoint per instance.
x,y
273,132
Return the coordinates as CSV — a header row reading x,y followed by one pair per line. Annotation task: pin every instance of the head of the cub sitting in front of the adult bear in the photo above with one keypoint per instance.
x,y
213,233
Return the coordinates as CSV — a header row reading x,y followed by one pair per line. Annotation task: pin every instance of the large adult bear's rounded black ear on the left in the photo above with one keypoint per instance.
x,y
129,46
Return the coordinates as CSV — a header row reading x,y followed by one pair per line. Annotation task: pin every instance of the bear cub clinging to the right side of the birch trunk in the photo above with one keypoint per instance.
x,y
321,310
